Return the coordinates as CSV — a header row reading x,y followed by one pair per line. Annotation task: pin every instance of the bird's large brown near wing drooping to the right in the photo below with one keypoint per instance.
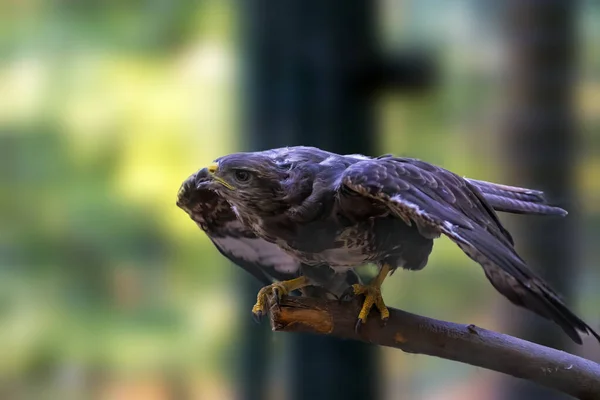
x,y
436,199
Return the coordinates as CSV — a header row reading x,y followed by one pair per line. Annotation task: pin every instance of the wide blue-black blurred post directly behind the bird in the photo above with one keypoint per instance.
x,y
301,61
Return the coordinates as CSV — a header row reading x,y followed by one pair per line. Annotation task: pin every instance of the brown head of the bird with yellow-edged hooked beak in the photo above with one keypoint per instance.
x,y
248,181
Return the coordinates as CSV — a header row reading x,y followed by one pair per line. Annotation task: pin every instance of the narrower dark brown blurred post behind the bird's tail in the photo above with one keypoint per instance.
x,y
541,146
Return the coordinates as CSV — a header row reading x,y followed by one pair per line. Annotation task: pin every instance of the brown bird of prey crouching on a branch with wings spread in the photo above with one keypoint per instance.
x,y
300,216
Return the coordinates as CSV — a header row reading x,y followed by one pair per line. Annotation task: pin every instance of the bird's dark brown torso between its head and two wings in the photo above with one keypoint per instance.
x,y
317,229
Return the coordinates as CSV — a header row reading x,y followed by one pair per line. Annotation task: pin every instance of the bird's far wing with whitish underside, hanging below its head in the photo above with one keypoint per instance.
x,y
264,260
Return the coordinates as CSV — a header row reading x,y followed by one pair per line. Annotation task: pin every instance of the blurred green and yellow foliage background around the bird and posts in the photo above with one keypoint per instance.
x,y
109,291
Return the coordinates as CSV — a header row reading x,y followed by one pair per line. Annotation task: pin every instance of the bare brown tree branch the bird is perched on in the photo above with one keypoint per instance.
x,y
464,343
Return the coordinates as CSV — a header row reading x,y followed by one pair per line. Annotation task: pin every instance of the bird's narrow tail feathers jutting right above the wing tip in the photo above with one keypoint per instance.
x,y
516,200
